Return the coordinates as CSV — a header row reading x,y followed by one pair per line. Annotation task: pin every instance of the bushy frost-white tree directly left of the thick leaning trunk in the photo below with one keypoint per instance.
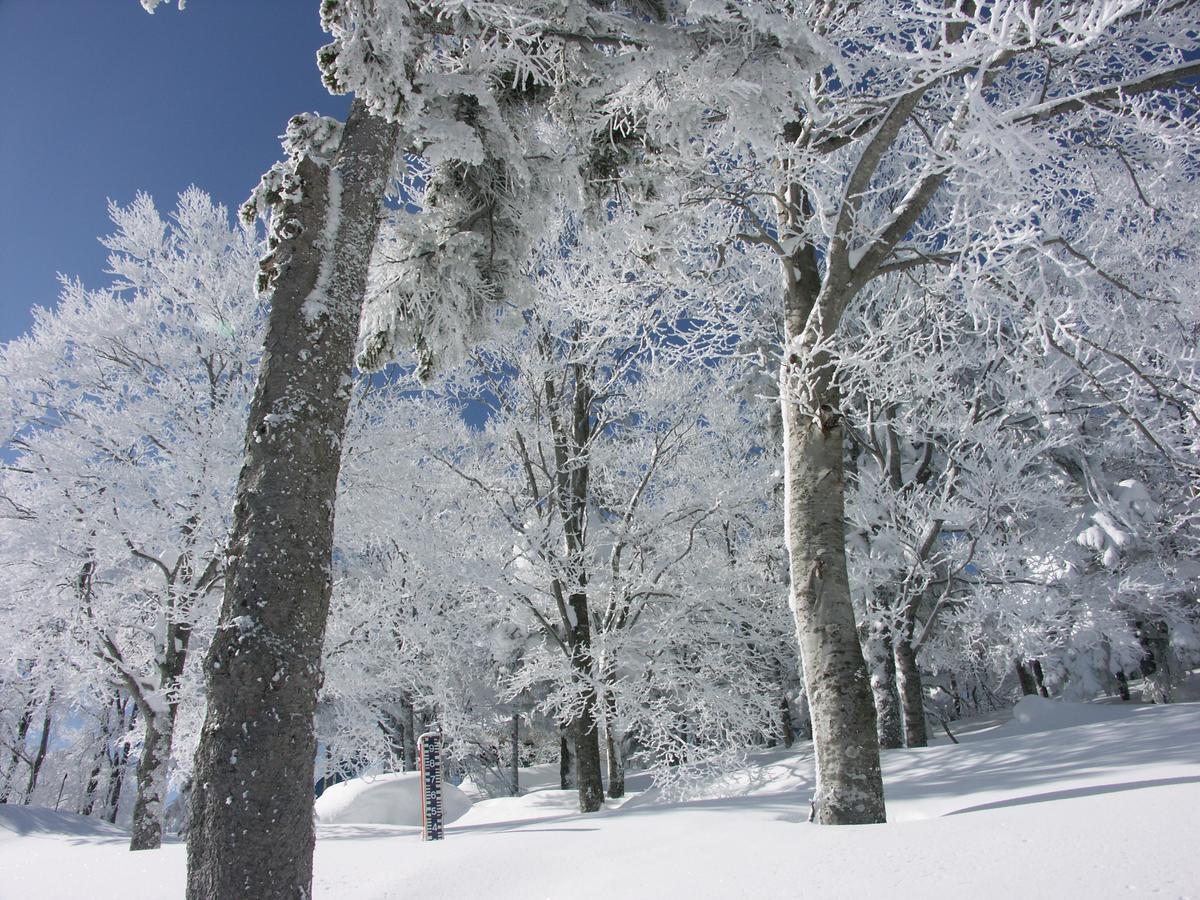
x,y
121,412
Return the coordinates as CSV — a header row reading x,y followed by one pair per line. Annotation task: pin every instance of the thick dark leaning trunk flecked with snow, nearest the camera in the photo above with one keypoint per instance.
x,y
251,832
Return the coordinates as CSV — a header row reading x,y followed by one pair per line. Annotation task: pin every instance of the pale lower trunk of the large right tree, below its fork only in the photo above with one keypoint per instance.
x,y
850,784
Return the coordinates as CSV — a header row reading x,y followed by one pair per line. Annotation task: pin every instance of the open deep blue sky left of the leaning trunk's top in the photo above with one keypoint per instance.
x,y
99,100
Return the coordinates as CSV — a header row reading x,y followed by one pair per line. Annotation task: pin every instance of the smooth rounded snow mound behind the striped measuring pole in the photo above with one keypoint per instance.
x,y
393,799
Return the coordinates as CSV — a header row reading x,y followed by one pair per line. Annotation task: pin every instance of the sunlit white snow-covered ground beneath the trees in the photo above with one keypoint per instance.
x,y
1089,801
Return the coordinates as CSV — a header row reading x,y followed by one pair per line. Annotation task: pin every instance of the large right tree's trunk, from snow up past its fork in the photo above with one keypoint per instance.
x,y
850,784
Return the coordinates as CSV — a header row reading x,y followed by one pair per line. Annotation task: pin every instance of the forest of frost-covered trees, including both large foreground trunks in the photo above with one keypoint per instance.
x,y
687,377
